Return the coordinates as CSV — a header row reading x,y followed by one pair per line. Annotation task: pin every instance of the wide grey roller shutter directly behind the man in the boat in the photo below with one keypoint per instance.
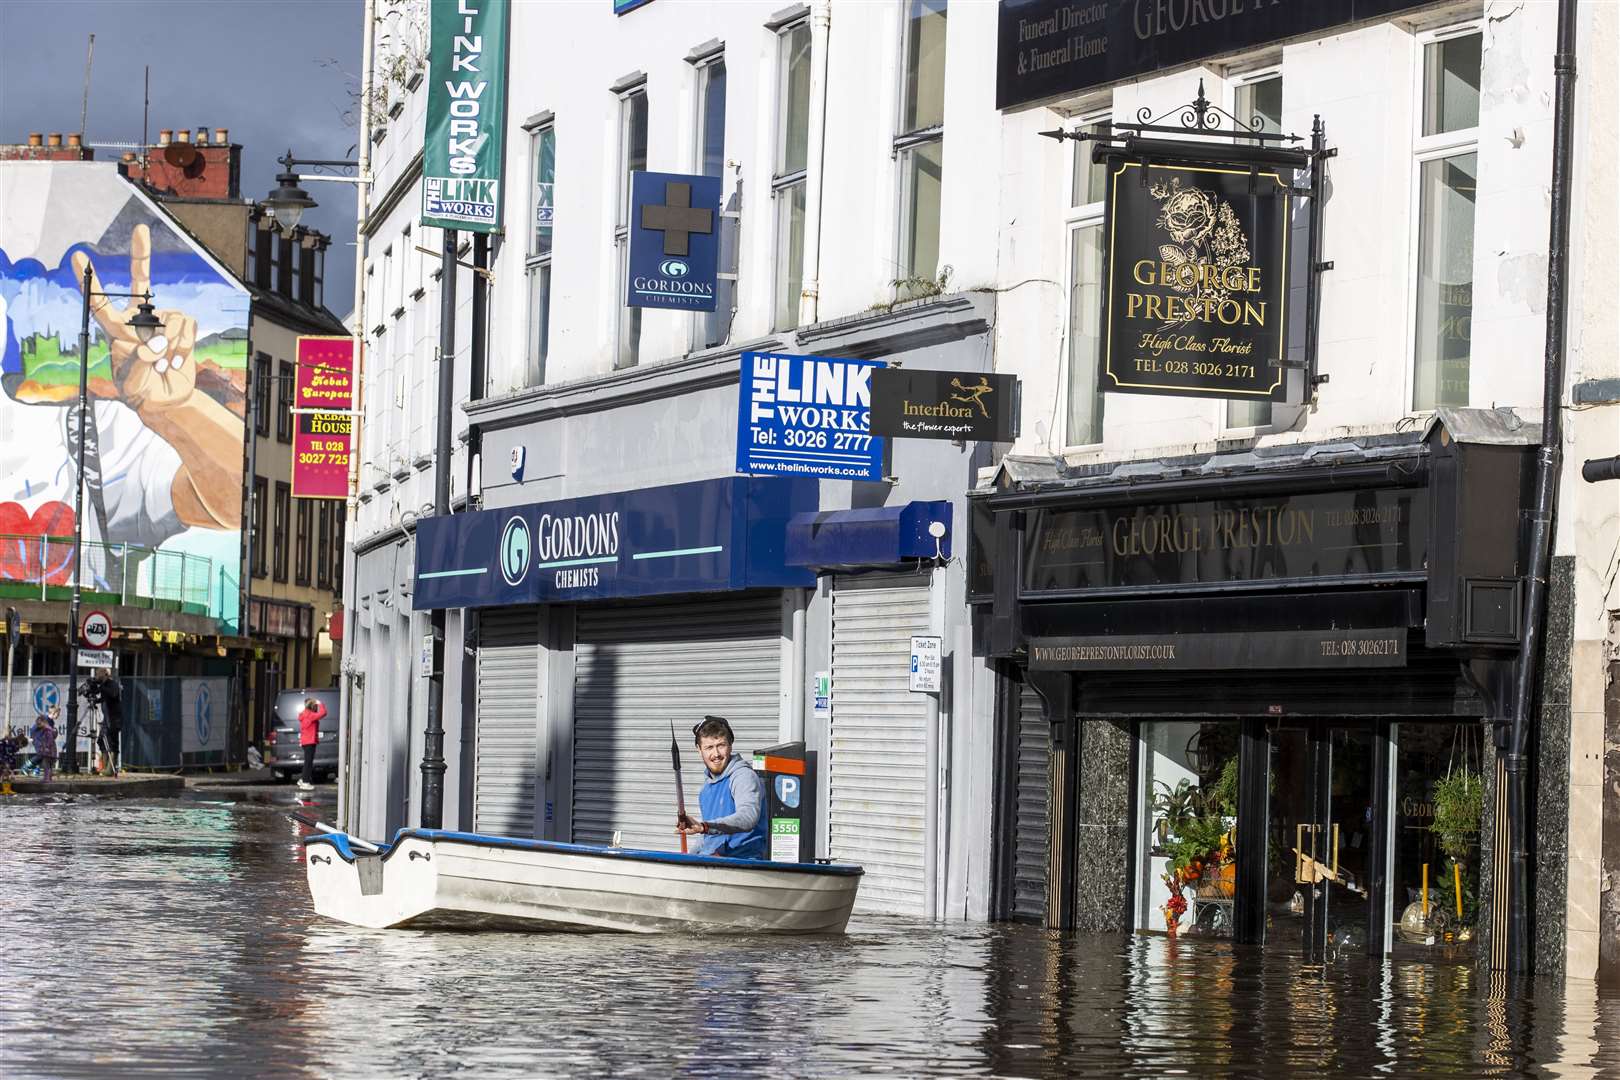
x,y
637,668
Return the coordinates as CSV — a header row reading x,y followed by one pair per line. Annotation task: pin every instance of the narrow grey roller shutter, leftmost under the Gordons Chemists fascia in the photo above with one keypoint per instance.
x,y
506,734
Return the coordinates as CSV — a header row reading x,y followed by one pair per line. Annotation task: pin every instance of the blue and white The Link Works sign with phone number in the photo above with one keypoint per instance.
x,y
808,417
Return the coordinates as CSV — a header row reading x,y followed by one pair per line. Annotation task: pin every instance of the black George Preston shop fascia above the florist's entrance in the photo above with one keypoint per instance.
x,y
1375,577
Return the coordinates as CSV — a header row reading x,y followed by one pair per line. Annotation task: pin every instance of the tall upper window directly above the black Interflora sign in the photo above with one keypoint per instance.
x,y
919,147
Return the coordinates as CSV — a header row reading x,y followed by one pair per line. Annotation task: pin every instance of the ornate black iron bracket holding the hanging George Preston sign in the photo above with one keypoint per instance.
x,y
1250,145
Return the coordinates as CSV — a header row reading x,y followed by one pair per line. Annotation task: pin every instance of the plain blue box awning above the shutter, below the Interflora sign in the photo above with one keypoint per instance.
x,y
879,537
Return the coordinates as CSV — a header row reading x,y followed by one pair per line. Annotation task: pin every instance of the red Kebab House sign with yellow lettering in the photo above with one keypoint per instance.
x,y
326,380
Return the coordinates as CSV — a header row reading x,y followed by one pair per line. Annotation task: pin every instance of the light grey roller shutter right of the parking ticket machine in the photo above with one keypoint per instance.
x,y
877,768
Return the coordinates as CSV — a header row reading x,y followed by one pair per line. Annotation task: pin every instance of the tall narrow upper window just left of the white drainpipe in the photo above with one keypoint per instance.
x,y
788,181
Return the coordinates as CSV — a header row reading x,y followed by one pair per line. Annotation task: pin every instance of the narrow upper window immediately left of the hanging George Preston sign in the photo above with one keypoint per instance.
x,y
1088,187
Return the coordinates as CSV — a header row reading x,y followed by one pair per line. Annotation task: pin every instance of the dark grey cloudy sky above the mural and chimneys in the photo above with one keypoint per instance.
x,y
279,74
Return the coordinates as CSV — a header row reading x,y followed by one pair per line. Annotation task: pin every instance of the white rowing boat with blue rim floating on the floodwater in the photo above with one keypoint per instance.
x,y
437,880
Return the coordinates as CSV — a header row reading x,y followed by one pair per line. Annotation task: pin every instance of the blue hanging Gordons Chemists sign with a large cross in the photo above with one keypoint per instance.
x,y
675,242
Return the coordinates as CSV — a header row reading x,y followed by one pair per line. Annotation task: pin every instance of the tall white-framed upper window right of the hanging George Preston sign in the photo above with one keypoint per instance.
x,y
1447,166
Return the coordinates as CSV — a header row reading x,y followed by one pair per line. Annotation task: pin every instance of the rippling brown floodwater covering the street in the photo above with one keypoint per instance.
x,y
176,938
